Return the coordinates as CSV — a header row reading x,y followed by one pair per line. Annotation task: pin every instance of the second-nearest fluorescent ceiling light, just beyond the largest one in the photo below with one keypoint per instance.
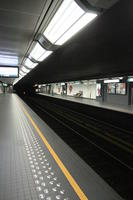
x,y
39,53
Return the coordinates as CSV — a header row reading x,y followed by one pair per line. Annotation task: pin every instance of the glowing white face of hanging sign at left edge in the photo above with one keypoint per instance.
x,y
8,72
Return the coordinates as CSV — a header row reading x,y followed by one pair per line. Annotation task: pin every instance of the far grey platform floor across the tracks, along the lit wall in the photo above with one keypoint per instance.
x,y
92,102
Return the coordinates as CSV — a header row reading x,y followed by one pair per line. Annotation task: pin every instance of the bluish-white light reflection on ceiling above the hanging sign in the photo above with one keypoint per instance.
x,y
8,60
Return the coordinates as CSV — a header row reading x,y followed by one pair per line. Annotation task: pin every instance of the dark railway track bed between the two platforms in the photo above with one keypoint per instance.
x,y
107,149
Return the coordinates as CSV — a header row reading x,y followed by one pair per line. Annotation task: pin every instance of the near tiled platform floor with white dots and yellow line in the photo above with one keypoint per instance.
x,y
36,164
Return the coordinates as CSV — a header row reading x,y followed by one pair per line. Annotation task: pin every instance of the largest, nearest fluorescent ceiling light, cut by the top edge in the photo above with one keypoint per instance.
x,y
67,21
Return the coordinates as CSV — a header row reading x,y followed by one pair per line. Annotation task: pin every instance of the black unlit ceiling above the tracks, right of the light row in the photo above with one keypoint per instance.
x,y
104,48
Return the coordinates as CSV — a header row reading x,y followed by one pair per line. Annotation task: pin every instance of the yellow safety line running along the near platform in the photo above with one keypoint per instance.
x,y
69,177
